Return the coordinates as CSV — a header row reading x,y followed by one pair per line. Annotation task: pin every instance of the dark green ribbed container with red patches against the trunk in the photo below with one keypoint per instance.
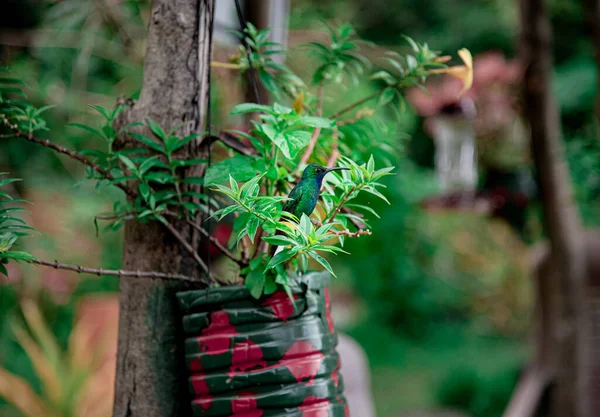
x,y
263,358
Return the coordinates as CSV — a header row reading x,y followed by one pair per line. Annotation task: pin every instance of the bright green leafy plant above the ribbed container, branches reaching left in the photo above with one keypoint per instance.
x,y
163,186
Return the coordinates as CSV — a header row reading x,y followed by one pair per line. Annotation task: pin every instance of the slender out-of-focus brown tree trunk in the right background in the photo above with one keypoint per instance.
x,y
561,216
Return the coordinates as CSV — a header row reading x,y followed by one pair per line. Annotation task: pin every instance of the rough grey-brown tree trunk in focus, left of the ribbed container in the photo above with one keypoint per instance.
x,y
150,373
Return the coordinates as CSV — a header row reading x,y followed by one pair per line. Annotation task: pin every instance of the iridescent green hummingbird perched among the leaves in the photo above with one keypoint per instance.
x,y
304,196
